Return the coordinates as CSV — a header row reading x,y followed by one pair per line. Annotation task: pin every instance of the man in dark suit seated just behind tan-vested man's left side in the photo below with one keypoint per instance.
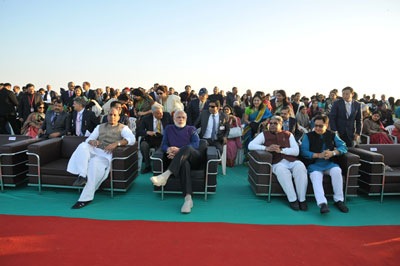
x,y
82,120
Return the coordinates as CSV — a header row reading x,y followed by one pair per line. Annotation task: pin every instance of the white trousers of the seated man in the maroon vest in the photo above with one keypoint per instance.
x,y
284,171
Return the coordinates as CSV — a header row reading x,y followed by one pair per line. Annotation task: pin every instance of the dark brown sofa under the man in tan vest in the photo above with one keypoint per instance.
x,y
50,159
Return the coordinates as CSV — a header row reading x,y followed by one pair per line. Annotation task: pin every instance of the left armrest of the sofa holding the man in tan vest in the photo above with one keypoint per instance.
x,y
48,150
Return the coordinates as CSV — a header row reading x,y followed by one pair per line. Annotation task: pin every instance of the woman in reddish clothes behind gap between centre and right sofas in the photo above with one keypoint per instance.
x,y
234,143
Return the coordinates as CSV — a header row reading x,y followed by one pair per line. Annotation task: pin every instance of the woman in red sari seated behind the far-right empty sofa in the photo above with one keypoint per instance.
x,y
373,128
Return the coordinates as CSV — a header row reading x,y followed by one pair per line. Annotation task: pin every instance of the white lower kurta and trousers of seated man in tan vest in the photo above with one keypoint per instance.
x,y
92,163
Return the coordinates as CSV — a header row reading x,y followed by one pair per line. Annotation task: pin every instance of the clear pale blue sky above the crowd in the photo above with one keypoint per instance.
x,y
296,45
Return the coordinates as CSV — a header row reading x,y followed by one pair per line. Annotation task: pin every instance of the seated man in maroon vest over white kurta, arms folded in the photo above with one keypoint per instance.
x,y
284,149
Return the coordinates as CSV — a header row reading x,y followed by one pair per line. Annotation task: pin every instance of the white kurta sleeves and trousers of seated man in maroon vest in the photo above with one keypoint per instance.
x,y
285,169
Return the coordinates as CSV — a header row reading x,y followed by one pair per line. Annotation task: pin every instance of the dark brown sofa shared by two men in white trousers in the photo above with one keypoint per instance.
x,y
260,171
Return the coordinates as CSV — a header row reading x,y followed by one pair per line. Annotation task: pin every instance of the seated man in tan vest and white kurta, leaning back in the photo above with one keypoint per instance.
x,y
91,160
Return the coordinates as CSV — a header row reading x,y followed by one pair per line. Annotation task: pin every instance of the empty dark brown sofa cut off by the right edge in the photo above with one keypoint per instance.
x,y
374,179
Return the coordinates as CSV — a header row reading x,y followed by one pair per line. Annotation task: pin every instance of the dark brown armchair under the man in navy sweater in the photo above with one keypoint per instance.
x,y
204,179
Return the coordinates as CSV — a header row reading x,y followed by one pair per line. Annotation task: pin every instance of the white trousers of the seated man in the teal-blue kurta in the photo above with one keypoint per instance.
x,y
337,184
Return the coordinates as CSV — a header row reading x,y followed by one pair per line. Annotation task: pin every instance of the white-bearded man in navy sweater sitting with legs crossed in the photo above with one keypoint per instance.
x,y
180,145
